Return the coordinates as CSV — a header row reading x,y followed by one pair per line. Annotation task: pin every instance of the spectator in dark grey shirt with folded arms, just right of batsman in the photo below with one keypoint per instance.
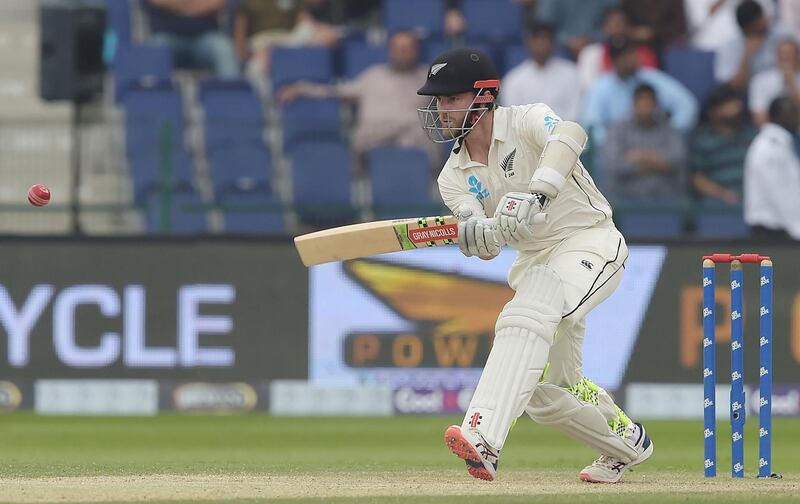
x,y
645,159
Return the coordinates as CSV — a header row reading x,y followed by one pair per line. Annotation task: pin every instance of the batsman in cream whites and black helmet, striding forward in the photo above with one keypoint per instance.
x,y
514,177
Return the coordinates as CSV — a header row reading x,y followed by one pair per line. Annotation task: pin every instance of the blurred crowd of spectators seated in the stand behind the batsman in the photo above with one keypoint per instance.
x,y
600,62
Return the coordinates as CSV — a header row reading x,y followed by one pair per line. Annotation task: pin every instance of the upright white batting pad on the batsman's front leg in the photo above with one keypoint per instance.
x,y
523,336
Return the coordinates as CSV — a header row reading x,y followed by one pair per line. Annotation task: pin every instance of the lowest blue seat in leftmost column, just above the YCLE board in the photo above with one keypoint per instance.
x,y
186,213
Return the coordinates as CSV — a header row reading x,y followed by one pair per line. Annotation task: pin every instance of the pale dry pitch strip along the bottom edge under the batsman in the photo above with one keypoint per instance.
x,y
372,484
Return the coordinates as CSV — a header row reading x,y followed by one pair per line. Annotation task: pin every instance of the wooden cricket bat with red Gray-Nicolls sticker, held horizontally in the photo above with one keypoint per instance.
x,y
372,238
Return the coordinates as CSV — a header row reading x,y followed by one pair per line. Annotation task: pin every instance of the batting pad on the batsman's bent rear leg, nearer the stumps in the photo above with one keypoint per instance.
x,y
558,407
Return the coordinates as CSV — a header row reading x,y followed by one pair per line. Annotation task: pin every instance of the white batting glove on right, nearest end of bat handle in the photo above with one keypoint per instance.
x,y
516,214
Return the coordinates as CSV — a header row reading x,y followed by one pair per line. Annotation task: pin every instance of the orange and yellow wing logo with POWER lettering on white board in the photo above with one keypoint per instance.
x,y
448,333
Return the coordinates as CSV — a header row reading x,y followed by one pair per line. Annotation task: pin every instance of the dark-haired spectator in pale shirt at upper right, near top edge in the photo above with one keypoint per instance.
x,y
752,51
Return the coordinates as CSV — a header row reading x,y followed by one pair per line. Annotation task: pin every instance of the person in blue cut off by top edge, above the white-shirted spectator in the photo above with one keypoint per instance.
x,y
577,22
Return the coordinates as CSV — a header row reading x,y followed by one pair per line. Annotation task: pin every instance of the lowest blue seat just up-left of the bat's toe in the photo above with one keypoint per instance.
x,y
252,210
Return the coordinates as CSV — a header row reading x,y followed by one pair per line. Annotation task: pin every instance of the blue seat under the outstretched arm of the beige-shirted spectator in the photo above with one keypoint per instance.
x,y
311,119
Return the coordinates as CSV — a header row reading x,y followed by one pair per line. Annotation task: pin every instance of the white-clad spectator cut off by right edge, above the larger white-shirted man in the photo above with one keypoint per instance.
x,y
782,80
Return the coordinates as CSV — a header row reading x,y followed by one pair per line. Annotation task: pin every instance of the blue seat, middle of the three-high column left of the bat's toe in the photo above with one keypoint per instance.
x,y
242,167
